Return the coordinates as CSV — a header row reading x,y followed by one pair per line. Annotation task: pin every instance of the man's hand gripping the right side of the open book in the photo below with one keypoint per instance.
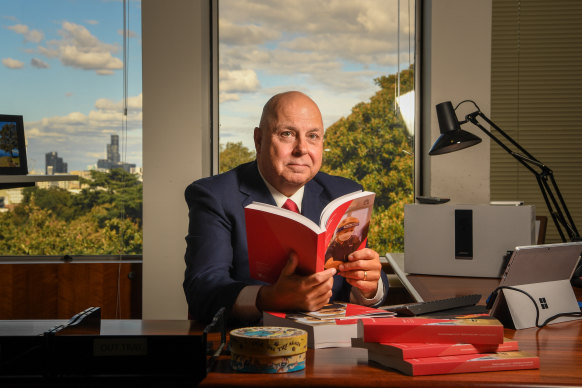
x,y
363,271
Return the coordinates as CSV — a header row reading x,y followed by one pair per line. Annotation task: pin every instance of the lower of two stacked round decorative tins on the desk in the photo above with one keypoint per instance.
x,y
267,364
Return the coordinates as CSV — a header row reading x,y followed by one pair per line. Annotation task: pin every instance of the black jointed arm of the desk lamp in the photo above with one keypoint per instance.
x,y
556,206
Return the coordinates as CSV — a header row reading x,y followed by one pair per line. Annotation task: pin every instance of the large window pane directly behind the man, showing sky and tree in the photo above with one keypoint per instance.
x,y
355,59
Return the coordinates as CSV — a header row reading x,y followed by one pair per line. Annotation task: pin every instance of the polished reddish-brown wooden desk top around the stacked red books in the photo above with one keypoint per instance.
x,y
559,347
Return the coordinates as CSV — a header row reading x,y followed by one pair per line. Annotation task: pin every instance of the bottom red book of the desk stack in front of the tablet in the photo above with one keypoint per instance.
x,y
458,364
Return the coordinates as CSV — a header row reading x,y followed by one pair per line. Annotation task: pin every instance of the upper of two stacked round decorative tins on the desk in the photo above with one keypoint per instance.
x,y
268,341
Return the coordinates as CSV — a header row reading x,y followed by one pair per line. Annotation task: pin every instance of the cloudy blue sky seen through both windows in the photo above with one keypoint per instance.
x,y
61,66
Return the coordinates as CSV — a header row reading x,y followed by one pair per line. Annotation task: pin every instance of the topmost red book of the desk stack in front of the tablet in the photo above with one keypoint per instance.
x,y
481,330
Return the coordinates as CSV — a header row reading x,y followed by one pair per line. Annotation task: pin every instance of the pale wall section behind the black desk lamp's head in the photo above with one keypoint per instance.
x,y
457,66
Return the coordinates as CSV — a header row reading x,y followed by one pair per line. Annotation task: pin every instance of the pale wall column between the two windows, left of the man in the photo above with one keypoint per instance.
x,y
176,142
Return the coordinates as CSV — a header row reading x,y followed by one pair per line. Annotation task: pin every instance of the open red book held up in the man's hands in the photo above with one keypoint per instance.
x,y
273,232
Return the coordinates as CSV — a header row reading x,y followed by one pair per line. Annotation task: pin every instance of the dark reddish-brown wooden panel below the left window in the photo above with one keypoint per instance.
x,y
61,290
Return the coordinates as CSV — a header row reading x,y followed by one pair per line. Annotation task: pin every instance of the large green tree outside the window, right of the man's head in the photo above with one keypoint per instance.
x,y
373,147
